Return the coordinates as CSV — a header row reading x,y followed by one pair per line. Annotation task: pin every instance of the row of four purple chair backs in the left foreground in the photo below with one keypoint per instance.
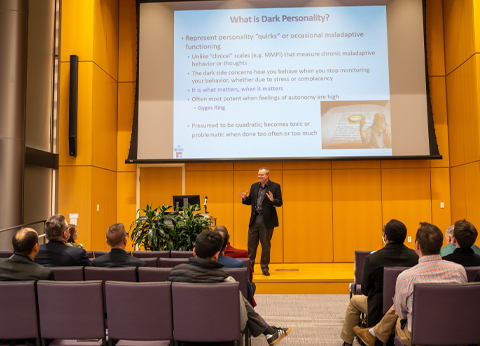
x,y
158,312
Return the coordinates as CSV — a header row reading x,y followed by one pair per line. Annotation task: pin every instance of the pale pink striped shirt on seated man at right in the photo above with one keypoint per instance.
x,y
430,269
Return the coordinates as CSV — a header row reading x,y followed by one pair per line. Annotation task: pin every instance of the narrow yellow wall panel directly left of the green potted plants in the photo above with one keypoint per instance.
x,y
126,197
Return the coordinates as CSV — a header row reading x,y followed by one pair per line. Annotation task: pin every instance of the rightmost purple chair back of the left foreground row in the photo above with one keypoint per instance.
x,y
206,312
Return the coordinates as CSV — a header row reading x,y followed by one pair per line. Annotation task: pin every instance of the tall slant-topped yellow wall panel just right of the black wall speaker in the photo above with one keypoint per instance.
x,y
104,114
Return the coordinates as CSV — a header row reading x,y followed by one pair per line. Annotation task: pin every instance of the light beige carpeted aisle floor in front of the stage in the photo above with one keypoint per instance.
x,y
315,319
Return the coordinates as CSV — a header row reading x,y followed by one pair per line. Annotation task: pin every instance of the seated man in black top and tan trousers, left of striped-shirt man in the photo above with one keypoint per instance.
x,y
394,254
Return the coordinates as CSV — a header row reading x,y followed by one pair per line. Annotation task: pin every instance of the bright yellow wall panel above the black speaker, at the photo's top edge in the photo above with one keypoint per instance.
x,y
77,30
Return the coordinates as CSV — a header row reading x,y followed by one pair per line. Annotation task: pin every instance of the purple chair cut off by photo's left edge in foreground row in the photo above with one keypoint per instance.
x,y
18,310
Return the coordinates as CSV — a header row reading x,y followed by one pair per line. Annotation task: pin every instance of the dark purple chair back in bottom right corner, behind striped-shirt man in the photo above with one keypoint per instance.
x,y
431,325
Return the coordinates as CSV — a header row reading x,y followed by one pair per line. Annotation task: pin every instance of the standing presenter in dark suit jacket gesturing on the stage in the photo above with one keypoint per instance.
x,y
264,196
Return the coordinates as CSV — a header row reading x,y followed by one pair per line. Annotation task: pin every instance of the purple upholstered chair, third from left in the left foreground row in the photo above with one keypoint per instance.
x,y
149,318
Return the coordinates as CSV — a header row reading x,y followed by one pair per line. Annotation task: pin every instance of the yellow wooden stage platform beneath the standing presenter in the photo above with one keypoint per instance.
x,y
304,278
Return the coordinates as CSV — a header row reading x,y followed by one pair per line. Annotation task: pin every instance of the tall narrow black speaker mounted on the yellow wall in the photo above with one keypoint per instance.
x,y
73,106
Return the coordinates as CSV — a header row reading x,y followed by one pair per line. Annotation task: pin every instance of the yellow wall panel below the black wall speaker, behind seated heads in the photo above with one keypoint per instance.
x,y
75,196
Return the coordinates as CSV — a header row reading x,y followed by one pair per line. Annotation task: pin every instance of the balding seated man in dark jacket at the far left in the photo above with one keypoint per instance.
x,y
21,266
